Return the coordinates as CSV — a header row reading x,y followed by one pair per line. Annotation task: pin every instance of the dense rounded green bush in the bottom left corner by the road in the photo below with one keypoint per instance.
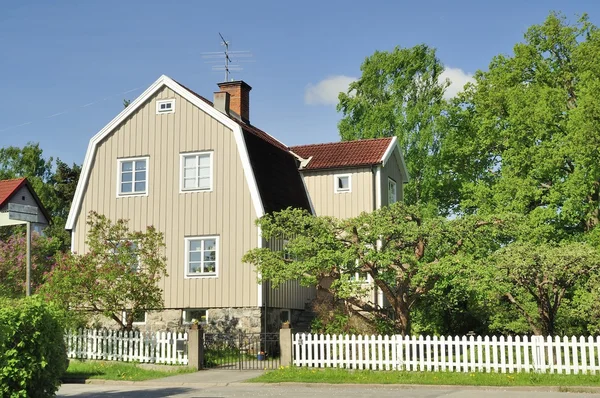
x,y
32,349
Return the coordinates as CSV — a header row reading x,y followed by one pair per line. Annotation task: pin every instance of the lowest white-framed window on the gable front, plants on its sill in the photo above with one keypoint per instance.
x,y
201,256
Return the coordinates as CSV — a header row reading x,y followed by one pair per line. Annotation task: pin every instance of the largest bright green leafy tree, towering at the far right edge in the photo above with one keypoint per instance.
x,y
525,135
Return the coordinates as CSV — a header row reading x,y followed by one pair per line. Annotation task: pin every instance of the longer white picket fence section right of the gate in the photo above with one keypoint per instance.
x,y
458,354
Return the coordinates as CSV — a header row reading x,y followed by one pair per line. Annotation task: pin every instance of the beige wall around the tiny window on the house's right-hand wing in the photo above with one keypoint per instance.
x,y
320,186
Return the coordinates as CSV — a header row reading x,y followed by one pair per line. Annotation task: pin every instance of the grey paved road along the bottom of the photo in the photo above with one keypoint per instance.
x,y
201,390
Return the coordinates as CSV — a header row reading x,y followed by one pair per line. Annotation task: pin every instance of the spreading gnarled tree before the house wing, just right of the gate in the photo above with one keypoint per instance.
x,y
403,253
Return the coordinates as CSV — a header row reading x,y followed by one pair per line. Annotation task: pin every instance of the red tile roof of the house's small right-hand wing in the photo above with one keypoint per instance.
x,y
344,154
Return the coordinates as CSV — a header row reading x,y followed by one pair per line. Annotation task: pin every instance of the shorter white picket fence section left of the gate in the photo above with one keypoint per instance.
x,y
117,345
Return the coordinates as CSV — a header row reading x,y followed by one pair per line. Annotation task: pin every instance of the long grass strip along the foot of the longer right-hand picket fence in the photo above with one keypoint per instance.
x,y
343,376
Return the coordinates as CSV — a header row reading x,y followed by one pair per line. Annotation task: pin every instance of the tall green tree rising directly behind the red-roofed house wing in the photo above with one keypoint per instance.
x,y
400,93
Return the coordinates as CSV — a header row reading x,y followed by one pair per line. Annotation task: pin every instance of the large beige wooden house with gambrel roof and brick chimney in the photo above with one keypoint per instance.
x,y
201,173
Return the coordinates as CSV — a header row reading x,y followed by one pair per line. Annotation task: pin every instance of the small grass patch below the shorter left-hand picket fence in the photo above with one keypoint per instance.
x,y
119,371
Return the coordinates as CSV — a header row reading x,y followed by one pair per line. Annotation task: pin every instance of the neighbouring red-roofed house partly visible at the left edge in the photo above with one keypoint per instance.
x,y
18,191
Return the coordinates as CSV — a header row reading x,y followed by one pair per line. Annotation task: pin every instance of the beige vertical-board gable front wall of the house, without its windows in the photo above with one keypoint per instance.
x,y
227,211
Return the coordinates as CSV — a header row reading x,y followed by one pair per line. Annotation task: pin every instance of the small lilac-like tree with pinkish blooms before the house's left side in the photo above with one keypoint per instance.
x,y
120,271
